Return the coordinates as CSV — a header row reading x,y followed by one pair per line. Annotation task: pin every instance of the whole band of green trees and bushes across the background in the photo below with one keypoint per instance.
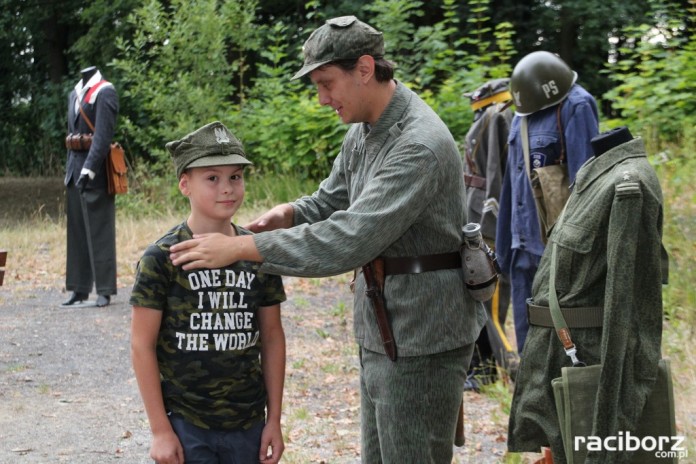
x,y
179,64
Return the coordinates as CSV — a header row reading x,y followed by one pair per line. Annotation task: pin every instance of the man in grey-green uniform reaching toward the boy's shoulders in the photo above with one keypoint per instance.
x,y
394,200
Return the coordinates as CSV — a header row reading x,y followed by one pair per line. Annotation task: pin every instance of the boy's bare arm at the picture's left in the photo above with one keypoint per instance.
x,y
145,325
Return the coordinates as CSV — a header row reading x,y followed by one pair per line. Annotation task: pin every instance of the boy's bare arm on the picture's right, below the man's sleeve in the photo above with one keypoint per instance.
x,y
273,366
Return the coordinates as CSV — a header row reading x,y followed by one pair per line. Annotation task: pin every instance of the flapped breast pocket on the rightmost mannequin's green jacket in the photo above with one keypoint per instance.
x,y
575,260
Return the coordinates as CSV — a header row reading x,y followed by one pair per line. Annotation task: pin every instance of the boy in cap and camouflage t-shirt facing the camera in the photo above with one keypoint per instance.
x,y
208,346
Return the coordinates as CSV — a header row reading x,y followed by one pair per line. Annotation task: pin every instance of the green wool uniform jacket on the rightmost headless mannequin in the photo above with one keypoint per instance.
x,y
609,254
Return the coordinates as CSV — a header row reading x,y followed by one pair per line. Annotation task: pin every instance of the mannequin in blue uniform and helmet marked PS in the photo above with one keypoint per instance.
x,y
561,118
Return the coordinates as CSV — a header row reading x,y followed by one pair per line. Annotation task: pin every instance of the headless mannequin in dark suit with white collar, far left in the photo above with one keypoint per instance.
x,y
90,209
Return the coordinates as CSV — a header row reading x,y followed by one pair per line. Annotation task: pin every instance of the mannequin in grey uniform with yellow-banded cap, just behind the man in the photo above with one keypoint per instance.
x,y
485,158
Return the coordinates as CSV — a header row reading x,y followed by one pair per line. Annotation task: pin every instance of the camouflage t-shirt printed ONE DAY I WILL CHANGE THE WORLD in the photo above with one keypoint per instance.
x,y
208,345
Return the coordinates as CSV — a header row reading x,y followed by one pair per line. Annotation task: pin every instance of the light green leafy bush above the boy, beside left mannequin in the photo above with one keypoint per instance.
x,y
175,70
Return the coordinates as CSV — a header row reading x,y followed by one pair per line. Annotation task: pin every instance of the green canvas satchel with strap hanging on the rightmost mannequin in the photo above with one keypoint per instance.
x,y
577,388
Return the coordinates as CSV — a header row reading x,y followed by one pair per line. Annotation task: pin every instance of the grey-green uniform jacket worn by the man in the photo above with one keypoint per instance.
x,y
396,189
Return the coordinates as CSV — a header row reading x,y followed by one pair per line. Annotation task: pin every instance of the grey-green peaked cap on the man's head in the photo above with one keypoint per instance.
x,y
341,38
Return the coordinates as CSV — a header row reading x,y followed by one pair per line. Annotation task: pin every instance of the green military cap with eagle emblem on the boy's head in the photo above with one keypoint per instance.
x,y
211,145
